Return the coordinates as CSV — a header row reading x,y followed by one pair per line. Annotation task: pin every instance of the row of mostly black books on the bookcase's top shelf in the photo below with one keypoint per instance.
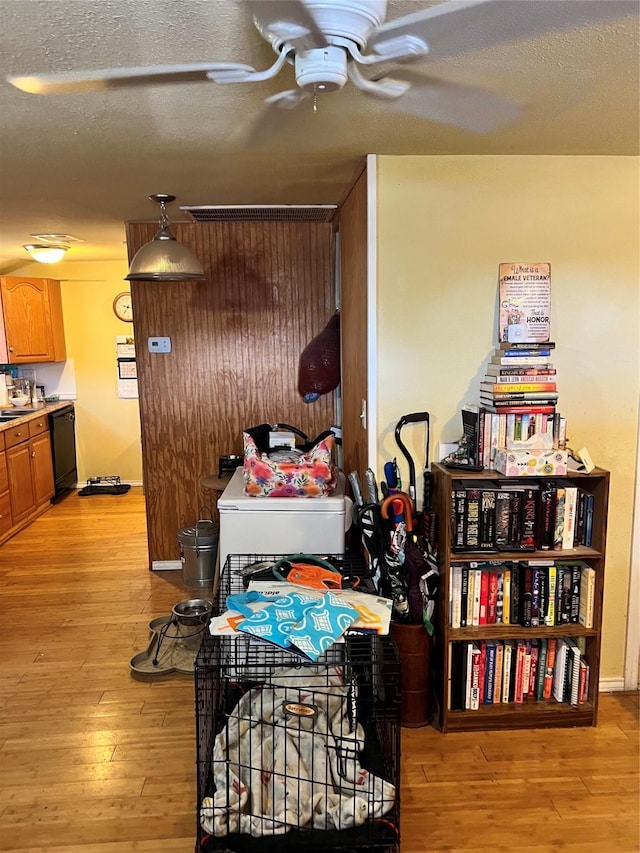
x,y
549,515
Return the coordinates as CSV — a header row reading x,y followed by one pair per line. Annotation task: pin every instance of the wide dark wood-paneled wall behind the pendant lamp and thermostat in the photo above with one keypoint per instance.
x,y
236,340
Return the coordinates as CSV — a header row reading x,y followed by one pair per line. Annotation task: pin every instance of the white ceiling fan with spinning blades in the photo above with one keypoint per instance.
x,y
329,42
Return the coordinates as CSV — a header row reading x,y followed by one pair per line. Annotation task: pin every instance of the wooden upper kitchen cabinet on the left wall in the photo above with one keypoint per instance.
x,y
33,326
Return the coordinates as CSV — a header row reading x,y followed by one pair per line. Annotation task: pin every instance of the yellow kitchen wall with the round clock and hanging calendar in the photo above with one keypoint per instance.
x,y
107,427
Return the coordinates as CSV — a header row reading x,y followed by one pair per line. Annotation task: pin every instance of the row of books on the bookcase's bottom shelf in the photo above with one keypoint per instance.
x,y
495,672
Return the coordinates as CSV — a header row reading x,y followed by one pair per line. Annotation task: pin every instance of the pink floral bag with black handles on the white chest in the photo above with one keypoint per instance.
x,y
308,472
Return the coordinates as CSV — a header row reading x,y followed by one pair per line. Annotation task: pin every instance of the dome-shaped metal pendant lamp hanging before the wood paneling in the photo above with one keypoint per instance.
x,y
164,259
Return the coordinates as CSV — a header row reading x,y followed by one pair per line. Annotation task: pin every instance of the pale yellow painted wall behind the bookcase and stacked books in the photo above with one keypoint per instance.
x,y
444,225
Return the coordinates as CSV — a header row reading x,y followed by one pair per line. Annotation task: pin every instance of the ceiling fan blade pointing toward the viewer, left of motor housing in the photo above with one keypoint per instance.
x,y
287,20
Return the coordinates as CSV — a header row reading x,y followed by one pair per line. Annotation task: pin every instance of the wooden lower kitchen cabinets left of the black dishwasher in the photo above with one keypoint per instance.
x,y
27,487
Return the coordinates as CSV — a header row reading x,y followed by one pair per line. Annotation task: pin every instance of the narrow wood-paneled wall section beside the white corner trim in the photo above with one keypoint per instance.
x,y
352,223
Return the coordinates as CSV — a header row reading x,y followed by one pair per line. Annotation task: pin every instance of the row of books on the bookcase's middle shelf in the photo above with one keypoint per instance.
x,y
522,593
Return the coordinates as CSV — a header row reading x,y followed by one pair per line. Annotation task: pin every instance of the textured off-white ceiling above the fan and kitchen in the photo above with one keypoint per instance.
x,y
83,164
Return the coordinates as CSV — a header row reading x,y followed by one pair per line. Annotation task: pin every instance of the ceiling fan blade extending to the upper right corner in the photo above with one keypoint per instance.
x,y
460,26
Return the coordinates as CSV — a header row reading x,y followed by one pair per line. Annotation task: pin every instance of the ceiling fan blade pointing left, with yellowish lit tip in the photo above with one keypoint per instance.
x,y
112,78
